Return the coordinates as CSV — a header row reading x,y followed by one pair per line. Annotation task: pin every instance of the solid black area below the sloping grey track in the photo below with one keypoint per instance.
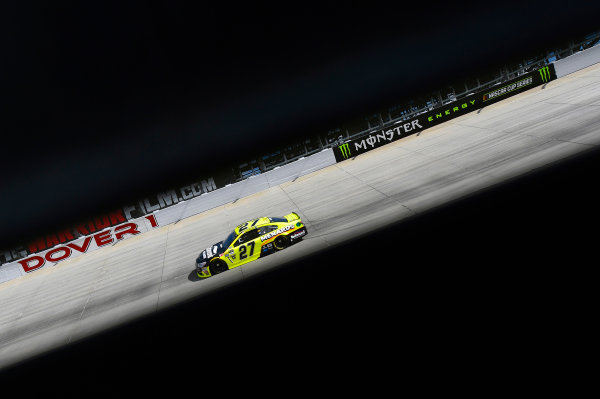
x,y
513,261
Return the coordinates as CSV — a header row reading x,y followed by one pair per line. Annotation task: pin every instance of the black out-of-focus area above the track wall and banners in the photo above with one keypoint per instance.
x,y
103,106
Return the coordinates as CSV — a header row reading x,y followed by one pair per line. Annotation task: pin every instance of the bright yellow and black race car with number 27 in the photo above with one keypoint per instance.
x,y
249,241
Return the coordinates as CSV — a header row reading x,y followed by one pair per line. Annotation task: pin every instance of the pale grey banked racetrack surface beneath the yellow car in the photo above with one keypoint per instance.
x,y
58,305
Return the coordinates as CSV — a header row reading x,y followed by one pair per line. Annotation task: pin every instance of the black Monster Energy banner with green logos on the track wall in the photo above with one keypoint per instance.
x,y
452,110
